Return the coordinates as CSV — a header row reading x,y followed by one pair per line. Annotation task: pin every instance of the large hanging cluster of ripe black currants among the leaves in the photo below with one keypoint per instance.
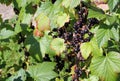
x,y
79,33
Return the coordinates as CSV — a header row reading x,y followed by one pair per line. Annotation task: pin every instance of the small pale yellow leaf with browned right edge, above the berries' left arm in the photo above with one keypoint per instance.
x,y
62,18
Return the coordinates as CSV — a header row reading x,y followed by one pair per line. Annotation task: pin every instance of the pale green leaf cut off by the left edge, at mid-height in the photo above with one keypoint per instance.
x,y
6,33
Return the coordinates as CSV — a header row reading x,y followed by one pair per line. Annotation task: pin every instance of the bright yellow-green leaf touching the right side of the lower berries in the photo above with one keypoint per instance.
x,y
90,48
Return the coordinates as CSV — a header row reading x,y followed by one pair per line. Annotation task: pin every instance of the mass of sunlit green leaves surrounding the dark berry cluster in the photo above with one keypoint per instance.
x,y
23,47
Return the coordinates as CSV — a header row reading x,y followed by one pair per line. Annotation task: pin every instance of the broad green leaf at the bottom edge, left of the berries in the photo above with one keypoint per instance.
x,y
42,72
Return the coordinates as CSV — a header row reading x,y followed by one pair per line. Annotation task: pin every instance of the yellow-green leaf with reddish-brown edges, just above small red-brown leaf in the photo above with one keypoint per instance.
x,y
43,22
